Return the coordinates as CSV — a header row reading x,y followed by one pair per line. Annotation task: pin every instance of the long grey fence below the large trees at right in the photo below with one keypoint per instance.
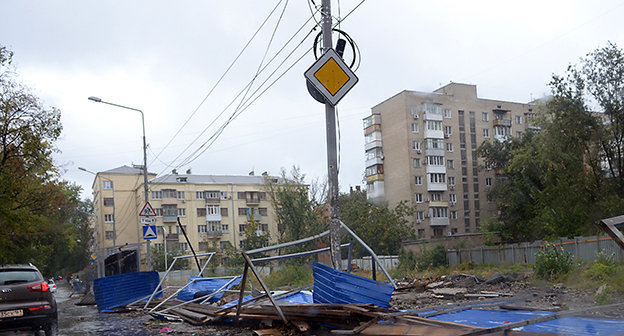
x,y
582,248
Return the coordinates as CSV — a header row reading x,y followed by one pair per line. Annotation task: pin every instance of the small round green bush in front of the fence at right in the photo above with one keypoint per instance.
x,y
552,262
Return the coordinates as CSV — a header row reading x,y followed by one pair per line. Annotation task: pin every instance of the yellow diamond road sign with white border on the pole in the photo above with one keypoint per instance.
x,y
331,77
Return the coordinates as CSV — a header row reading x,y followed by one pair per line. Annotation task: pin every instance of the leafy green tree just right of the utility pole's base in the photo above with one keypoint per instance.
x,y
382,229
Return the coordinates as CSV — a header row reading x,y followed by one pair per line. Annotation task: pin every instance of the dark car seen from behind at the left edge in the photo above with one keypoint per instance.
x,y
26,301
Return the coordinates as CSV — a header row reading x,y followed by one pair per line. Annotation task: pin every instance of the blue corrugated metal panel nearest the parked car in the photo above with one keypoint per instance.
x,y
119,290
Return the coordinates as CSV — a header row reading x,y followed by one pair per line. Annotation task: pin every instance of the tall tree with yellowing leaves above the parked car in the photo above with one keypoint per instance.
x,y
41,219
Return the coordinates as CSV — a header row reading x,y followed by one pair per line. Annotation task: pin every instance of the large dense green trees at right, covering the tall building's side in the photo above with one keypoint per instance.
x,y
554,183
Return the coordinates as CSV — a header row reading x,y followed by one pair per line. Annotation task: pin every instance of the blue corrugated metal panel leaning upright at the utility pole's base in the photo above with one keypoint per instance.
x,y
333,286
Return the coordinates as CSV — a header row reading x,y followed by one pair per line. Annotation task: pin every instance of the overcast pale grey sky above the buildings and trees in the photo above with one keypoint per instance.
x,y
165,57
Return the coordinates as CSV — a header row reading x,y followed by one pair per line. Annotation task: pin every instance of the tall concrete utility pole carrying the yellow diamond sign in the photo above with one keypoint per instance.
x,y
332,160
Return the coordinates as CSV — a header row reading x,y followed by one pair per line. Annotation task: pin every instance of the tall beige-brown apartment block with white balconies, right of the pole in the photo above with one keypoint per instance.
x,y
421,148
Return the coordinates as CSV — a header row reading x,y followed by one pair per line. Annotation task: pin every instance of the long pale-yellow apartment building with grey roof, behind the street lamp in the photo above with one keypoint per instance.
x,y
213,209
